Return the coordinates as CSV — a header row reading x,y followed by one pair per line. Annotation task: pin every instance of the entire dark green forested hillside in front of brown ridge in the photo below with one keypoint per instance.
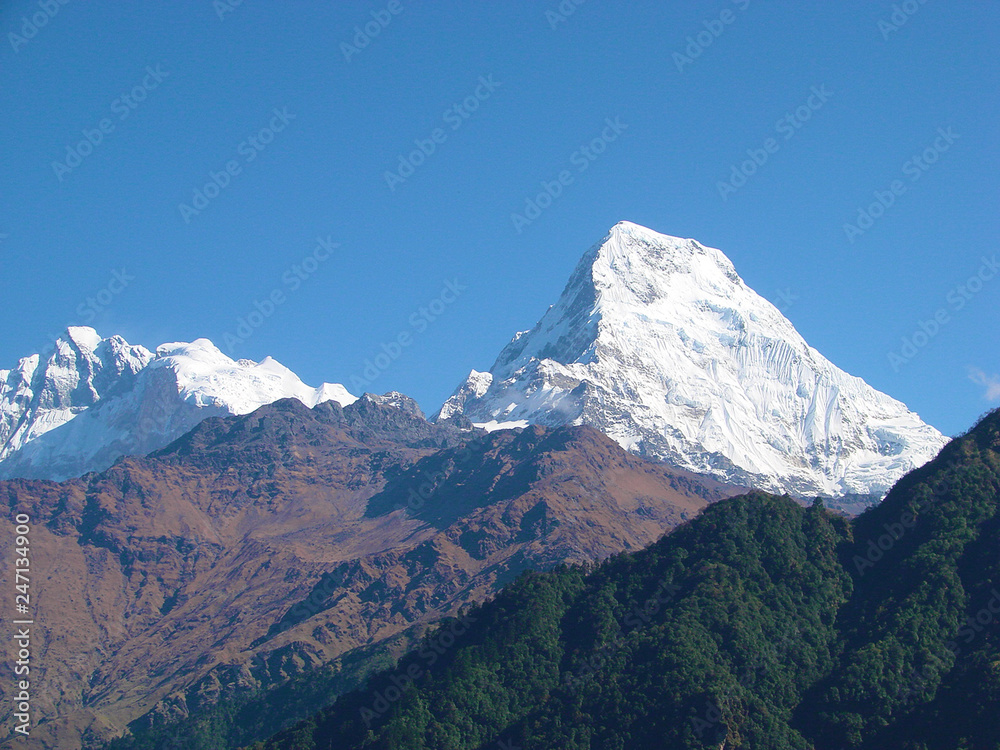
x,y
761,624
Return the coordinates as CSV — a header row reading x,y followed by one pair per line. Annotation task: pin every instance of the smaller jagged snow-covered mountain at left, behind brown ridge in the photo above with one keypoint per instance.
x,y
89,400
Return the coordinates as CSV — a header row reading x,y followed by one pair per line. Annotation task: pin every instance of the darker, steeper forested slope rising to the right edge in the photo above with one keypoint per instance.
x,y
920,666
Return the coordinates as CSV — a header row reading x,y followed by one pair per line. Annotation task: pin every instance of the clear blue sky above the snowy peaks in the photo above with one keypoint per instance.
x,y
66,228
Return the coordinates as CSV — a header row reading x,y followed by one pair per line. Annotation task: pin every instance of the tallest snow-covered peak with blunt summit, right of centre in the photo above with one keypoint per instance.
x,y
657,342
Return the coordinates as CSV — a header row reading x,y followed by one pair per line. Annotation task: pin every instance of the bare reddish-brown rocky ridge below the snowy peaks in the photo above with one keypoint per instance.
x,y
256,548
